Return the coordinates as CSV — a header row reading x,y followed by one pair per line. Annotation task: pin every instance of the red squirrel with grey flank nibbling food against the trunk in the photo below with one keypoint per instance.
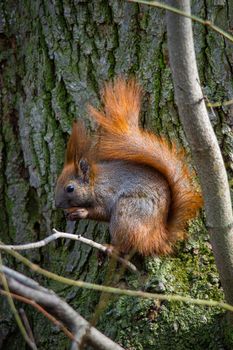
x,y
129,177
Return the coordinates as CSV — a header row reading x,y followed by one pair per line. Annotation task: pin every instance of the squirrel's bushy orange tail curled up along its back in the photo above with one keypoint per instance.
x,y
125,140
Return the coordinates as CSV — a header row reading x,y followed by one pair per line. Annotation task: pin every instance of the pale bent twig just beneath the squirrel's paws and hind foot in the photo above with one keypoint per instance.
x,y
57,234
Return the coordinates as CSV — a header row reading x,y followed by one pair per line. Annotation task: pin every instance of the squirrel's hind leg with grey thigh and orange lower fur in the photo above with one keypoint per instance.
x,y
137,224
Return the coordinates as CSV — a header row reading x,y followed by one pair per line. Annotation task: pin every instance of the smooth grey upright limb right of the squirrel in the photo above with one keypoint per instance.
x,y
203,143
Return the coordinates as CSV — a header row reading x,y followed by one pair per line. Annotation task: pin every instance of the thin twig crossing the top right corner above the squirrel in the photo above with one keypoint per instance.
x,y
182,13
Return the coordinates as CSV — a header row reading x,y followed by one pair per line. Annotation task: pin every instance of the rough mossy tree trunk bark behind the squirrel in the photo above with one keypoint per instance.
x,y
54,58
